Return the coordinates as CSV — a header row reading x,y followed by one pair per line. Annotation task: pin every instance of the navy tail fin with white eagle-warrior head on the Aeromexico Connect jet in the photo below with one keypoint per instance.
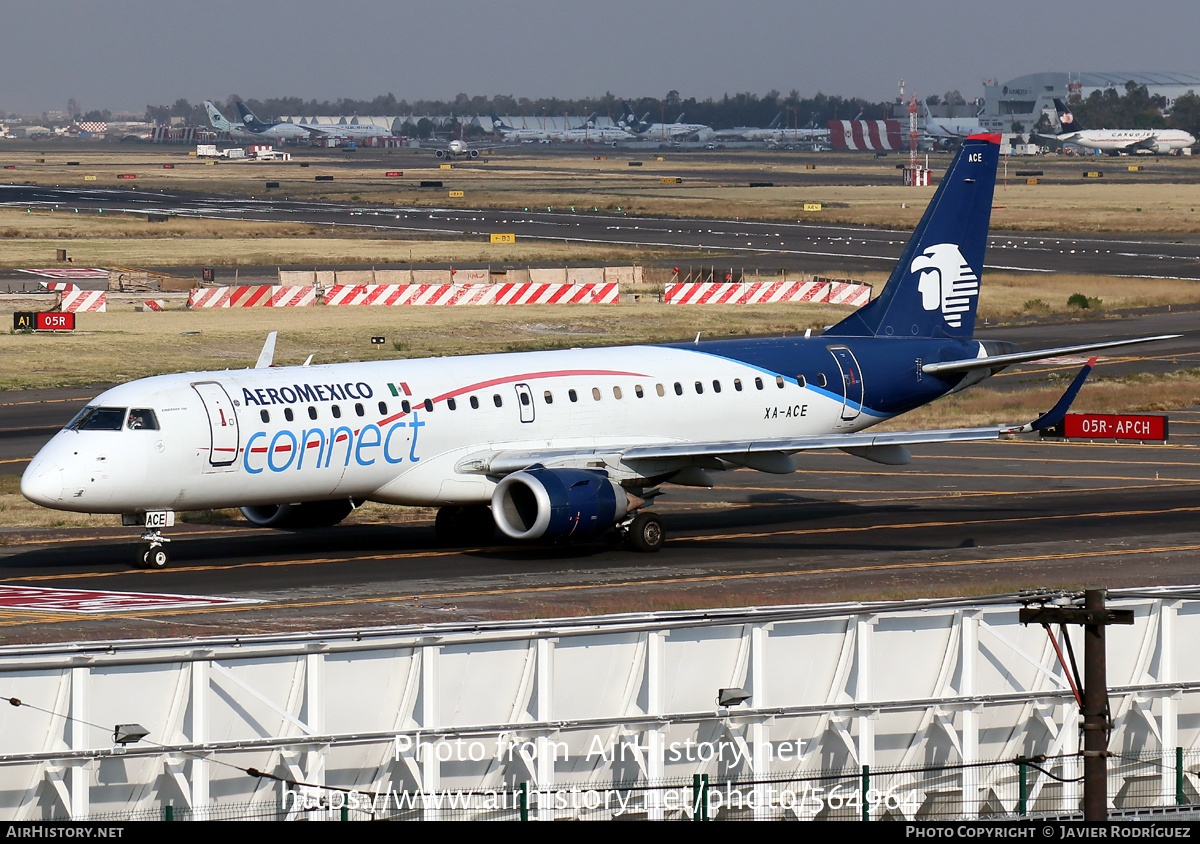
x,y
934,290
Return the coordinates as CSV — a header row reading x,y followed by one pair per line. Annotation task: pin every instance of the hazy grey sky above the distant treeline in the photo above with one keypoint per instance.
x,y
124,55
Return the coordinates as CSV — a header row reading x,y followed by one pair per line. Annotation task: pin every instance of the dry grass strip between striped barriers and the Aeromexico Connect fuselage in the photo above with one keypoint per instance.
x,y
125,345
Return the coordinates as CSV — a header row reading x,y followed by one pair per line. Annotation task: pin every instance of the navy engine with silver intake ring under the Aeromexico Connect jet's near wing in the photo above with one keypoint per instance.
x,y
557,504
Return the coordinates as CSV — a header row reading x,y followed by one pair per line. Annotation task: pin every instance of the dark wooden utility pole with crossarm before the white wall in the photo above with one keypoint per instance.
x,y
1094,702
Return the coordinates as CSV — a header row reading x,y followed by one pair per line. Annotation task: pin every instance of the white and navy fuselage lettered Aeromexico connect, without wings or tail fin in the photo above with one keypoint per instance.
x,y
401,432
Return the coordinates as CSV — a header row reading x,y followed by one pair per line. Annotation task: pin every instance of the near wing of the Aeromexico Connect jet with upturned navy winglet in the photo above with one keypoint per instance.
x,y
771,454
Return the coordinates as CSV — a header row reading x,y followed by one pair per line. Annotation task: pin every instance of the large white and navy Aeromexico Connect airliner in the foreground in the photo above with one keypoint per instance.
x,y
548,446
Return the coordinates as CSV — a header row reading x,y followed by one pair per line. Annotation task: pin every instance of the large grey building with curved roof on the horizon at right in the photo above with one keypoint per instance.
x,y
1017,105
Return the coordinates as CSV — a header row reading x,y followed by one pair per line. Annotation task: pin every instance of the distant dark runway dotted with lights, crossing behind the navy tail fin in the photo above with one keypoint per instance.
x,y
740,243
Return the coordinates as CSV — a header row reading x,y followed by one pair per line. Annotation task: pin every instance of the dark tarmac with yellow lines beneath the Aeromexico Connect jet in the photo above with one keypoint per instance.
x,y
961,520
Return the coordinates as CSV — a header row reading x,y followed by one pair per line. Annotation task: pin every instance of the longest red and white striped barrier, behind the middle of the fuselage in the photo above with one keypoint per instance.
x,y
527,294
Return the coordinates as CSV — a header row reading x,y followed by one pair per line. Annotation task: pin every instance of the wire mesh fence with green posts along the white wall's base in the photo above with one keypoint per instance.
x,y
1012,789
